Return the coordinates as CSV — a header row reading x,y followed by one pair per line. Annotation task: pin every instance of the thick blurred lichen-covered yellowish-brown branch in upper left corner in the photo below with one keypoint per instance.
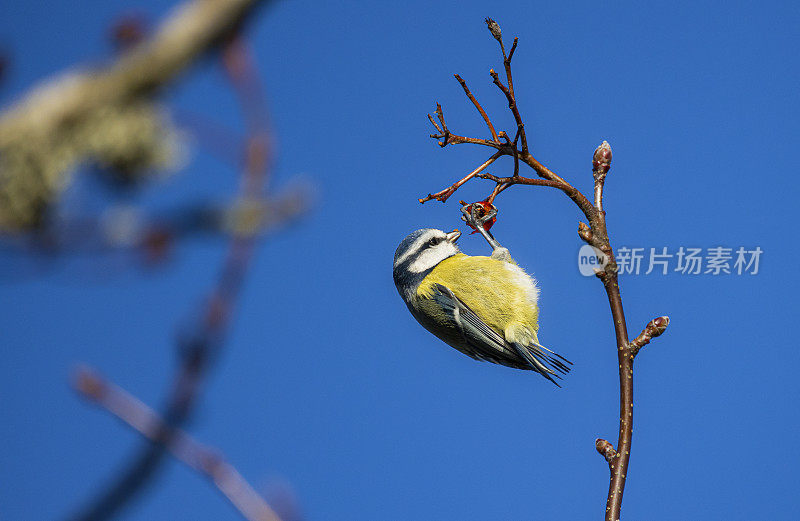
x,y
105,114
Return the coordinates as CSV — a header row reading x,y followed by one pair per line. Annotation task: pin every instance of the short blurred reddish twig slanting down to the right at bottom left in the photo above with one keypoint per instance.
x,y
199,457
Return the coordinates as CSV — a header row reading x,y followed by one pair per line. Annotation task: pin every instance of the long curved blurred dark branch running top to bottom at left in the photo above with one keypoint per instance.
x,y
199,348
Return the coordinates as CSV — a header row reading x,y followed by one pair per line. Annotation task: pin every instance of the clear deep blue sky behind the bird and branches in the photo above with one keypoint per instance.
x,y
328,384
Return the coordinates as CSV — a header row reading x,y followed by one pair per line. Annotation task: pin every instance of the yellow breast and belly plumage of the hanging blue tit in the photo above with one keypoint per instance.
x,y
499,292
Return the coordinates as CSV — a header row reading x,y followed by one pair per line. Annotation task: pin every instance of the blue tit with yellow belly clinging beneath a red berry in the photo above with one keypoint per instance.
x,y
485,307
